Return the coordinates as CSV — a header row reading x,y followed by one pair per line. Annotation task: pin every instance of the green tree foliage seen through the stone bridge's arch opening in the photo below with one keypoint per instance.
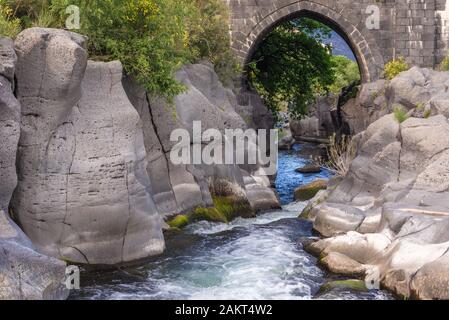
x,y
292,67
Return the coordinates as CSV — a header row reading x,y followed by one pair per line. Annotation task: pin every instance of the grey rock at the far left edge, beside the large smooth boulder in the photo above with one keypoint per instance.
x,y
24,272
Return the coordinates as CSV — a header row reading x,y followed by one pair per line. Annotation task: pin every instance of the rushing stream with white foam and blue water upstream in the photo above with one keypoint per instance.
x,y
256,258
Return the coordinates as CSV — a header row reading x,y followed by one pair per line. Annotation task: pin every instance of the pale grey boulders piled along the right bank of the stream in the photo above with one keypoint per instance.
x,y
391,212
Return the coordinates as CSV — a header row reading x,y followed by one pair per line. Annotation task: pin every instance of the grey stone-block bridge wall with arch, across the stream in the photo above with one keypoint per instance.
x,y
415,29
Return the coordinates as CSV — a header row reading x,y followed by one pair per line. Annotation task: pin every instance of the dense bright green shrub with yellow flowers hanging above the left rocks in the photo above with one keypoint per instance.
x,y
149,37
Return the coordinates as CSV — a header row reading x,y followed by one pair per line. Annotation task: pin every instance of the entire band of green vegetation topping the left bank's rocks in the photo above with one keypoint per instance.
x,y
152,38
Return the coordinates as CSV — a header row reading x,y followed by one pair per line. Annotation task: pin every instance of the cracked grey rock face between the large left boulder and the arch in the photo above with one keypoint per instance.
x,y
183,187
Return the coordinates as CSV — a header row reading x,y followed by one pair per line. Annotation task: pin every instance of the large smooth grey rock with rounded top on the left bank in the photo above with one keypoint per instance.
x,y
83,192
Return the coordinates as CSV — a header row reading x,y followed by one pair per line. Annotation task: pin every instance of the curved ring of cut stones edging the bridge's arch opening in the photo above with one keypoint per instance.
x,y
369,58
